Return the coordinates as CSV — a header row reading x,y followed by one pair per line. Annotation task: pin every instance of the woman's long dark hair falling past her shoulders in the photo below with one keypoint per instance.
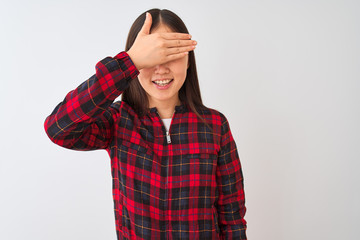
x,y
189,93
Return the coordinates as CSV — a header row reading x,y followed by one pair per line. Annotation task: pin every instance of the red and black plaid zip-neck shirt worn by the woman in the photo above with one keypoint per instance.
x,y
183,184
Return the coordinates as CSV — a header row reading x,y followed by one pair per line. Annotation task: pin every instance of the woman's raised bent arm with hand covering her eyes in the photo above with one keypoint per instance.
x,y
84,120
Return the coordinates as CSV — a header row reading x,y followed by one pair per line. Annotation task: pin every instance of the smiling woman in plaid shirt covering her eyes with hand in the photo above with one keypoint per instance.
x,y
175,166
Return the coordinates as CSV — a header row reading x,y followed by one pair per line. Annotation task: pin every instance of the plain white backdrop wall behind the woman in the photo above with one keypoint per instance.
x,y
285,73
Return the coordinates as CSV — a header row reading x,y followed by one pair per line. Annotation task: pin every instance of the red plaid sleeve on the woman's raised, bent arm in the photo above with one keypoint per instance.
x,y
85,118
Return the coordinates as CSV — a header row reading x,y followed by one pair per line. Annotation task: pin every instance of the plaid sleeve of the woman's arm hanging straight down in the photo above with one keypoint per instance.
x,y
231,202
